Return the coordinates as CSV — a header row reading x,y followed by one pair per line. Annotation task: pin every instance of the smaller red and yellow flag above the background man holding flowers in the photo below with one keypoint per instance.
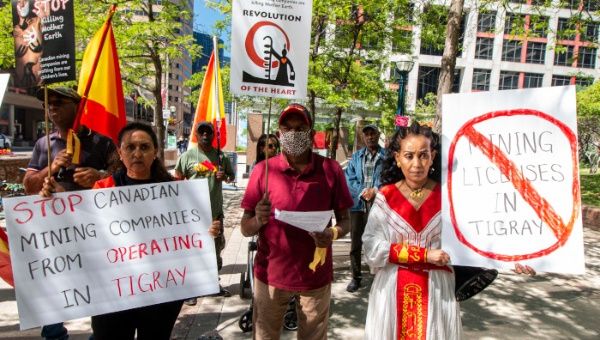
x,y
211,107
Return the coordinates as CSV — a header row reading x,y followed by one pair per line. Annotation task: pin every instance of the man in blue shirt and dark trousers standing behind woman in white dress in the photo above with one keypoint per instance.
x,y
363,176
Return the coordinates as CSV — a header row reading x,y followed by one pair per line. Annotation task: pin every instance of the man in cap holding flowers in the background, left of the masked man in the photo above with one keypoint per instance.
x,y
205,161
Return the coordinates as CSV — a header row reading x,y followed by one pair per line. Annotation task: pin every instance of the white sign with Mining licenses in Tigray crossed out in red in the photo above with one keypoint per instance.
x,y
511,180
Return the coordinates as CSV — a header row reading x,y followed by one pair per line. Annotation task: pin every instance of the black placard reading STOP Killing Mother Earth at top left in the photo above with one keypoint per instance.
x,y
44,38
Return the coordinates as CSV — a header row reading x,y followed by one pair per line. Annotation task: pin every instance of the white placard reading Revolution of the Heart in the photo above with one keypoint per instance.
x,y
270,42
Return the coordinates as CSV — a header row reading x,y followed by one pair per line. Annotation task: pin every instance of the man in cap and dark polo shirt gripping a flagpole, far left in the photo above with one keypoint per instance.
x,y
98,153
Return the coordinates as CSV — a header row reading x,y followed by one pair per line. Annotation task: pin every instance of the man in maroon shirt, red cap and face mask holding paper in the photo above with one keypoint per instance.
x,y
290,261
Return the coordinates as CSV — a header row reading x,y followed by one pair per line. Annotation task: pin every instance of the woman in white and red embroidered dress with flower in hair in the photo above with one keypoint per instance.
x,y
412,296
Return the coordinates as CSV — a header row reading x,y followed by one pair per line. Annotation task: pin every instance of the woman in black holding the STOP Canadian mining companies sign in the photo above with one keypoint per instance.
x,y
139,164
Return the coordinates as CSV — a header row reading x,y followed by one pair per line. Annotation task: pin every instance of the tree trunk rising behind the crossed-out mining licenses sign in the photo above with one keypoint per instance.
x,y
448,58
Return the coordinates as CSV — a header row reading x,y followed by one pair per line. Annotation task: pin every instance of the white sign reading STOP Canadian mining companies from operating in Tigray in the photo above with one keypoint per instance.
x,y
91,252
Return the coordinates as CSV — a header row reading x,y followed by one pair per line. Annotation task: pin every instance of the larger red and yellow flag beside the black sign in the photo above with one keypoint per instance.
x,y
100,81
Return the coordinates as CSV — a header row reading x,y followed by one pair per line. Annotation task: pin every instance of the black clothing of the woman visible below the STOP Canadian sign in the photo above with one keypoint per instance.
x,y
152,323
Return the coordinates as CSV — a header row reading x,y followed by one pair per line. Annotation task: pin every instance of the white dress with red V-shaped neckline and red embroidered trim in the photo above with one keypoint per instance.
x,y
393,219
